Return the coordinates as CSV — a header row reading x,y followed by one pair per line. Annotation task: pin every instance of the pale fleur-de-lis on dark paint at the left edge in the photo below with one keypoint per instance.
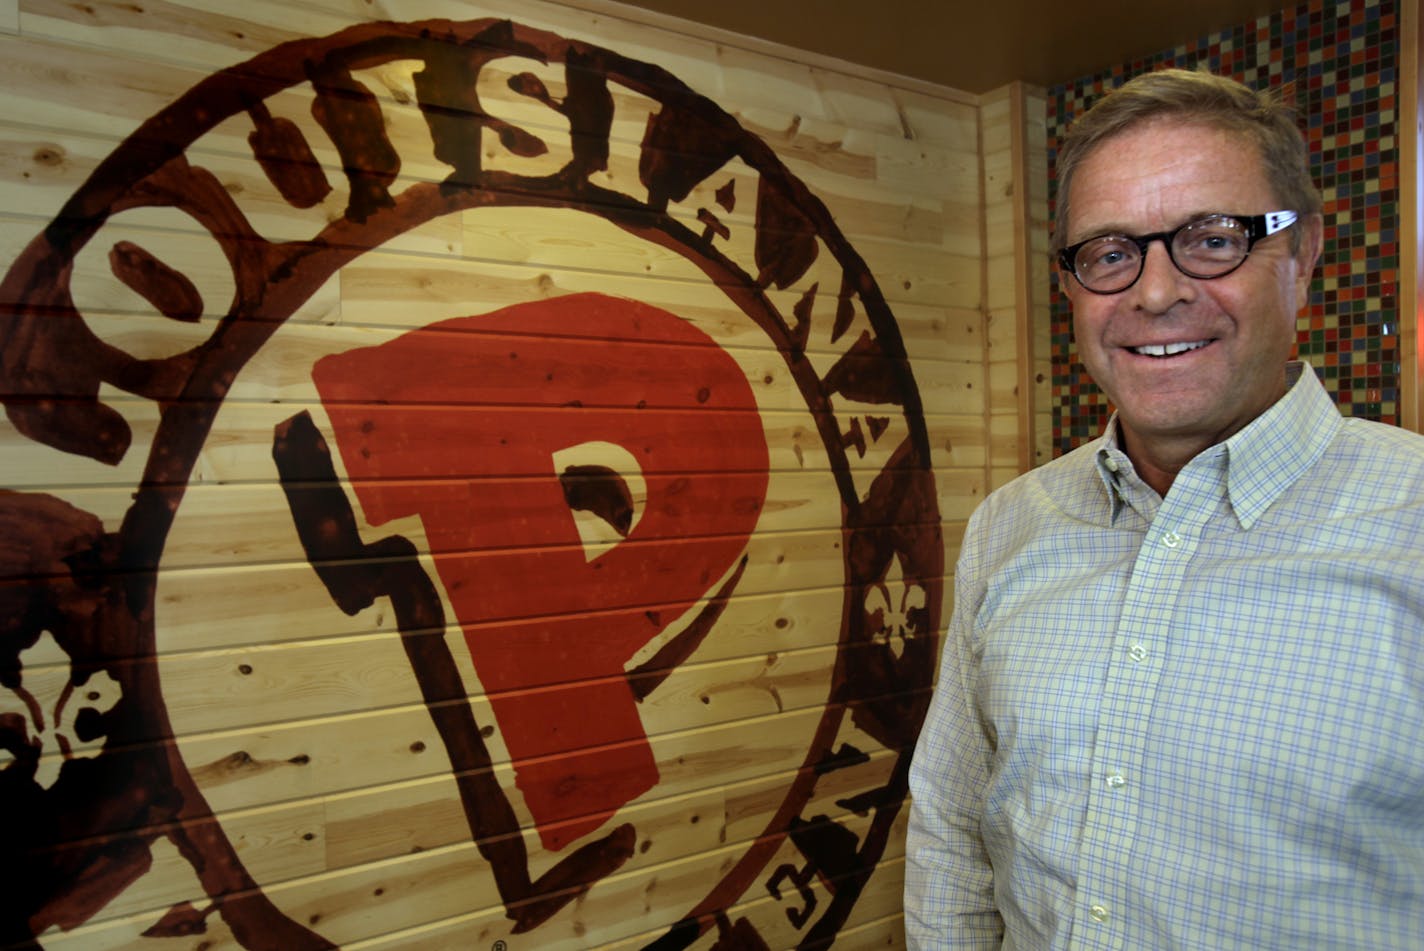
x,y
49,703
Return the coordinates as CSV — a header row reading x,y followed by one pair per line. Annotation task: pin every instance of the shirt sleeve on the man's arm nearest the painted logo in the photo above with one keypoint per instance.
x,y
949,883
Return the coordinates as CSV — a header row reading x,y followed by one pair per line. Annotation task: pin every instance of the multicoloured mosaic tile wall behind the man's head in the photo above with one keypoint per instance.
x,y
1342,59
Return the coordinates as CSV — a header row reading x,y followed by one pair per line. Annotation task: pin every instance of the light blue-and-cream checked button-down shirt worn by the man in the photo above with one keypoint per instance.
x,y
1194,723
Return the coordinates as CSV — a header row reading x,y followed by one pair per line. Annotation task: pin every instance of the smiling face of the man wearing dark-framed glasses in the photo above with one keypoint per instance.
x,y
1235,334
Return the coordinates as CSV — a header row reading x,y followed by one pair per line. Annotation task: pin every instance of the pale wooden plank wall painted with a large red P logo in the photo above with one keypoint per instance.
x,y
475,486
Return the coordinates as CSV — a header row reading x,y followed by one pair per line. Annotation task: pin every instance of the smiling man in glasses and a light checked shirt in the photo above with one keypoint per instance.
x,y
1183,694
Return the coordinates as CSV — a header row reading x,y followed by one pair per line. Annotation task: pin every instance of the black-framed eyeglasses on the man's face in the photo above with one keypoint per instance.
x,y
1204,248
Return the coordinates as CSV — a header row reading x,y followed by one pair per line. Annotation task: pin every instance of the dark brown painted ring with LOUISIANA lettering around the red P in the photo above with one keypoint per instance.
x,y
52,368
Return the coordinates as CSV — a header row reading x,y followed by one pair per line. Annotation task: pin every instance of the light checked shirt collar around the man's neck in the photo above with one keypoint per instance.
x,y
1262,461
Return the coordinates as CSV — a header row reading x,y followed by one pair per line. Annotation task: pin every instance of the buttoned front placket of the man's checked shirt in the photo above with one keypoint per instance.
x,y
1140,653
